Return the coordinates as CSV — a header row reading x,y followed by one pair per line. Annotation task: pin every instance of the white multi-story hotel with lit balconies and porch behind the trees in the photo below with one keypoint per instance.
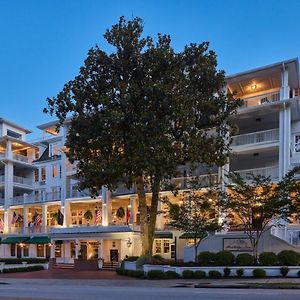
x,y
36,179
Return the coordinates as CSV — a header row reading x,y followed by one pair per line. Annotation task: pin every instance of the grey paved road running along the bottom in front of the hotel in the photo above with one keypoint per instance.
x,y
108,290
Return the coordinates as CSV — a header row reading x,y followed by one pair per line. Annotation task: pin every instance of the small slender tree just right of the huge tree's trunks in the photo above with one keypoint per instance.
x,y
197,215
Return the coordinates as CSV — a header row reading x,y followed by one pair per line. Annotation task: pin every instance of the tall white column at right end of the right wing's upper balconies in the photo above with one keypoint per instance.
x,y
284,128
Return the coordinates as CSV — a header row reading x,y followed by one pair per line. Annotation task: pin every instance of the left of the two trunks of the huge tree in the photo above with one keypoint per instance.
x,y
143,215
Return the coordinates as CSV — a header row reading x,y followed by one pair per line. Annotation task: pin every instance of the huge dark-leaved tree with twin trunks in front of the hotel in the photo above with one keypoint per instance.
x,y
142,110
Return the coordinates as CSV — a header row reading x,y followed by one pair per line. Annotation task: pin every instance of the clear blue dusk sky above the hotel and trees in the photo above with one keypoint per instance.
x,y
43,42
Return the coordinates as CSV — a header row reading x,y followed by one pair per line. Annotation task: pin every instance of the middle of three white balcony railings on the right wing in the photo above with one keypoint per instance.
x,y
259,137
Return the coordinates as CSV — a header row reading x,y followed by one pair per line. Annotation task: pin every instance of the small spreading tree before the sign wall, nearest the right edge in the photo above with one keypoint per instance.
x,y
258,204
